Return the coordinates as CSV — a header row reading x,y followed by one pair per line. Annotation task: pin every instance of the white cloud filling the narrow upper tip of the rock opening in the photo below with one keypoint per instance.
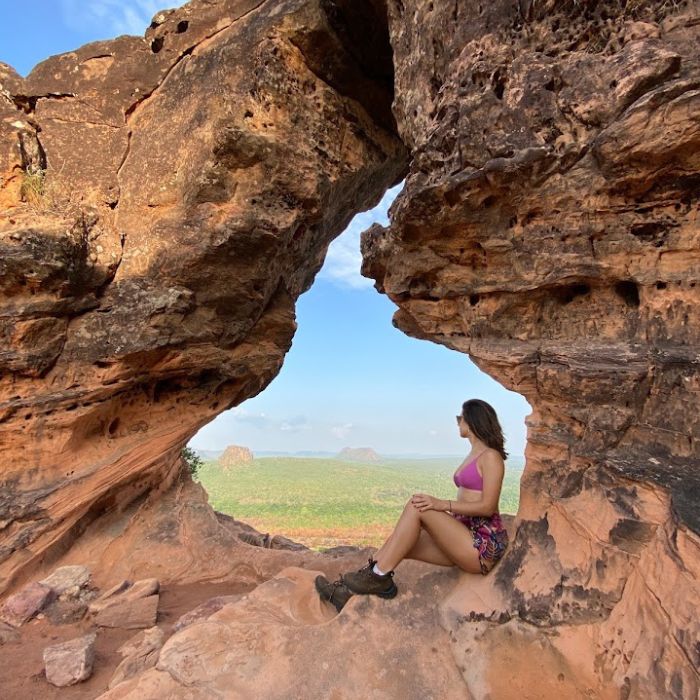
x,y
343,260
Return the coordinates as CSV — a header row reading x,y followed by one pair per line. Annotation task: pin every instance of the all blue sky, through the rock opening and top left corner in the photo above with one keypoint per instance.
x,y
350,378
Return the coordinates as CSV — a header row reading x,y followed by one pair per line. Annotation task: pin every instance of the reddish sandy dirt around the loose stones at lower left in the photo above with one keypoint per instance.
x,y
21,663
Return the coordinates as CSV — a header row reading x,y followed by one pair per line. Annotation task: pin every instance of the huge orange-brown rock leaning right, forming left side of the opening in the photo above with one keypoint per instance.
x,y
165,200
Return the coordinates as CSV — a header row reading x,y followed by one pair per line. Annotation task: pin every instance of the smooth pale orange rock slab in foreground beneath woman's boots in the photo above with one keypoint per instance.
x,y
373,649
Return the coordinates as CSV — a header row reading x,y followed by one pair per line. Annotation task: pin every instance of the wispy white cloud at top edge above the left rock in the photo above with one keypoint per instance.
x,y
115,17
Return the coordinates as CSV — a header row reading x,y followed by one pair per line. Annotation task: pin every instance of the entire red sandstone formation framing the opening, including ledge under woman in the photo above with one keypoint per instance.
x,y
548,229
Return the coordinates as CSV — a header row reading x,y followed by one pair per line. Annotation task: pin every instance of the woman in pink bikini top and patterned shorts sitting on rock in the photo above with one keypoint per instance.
x,y
466,532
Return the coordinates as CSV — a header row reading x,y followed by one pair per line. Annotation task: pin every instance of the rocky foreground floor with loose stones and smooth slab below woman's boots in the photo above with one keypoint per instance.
x,y
228,639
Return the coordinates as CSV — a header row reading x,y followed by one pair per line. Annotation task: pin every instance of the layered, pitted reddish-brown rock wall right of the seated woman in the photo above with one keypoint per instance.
x,y
549,227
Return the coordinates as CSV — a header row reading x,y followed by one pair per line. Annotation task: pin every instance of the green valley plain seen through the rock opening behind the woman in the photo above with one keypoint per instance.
x,y
328,502
